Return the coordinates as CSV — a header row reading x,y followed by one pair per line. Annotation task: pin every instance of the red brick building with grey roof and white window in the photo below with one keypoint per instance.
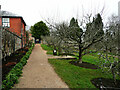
x,y
14,23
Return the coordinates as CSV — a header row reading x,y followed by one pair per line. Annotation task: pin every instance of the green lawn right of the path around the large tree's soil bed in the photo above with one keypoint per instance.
x,y
77,77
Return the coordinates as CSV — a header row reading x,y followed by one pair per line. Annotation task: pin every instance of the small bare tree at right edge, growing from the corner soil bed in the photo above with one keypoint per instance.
x,y
109,56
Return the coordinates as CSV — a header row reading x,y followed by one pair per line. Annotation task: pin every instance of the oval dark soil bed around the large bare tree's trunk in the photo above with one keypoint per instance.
x,y
84,65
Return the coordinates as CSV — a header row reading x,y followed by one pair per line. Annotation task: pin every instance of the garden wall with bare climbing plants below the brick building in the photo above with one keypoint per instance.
x,y
10,42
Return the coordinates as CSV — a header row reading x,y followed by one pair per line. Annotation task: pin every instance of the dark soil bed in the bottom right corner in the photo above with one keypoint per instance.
x,y
108,84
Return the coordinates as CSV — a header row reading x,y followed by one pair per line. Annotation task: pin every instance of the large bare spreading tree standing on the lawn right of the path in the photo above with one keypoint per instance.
x,y
77,38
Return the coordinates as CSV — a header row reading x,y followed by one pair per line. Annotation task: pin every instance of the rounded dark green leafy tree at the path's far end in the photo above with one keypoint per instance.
x,y
39,29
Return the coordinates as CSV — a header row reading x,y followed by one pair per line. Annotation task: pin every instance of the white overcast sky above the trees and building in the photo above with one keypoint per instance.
x,y
36,10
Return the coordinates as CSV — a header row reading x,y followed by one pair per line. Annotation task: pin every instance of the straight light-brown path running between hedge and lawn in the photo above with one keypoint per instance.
x,y
38,73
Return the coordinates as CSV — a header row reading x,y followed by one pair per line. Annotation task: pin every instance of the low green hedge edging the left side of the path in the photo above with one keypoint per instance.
x,y
16,71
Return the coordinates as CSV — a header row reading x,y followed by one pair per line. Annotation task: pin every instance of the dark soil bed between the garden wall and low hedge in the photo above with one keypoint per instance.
x,y
10,61
